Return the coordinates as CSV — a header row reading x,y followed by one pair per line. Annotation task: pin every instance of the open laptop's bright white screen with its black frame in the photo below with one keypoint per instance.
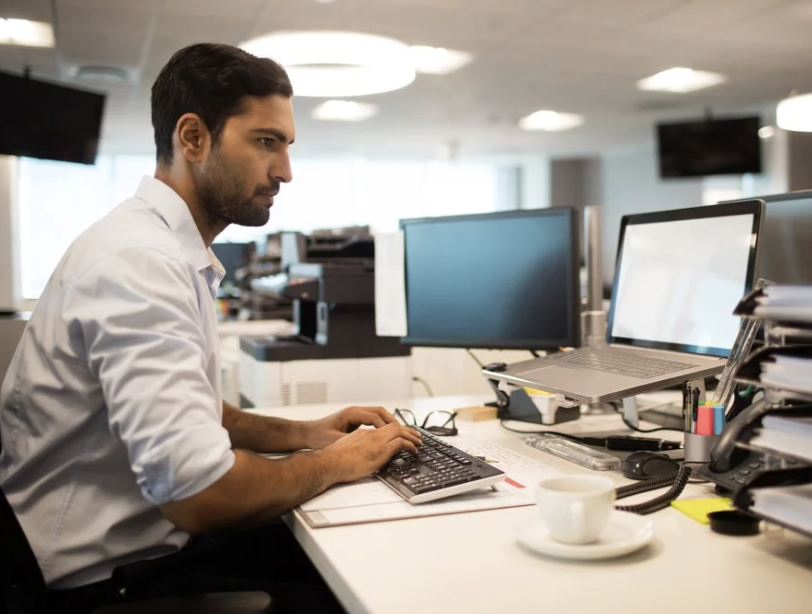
x,y
680,274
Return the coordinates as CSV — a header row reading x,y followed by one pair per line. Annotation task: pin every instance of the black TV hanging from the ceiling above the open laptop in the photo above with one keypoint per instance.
x,y
709,147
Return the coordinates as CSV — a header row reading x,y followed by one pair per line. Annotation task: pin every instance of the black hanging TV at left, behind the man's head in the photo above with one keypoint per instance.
x,y
45,120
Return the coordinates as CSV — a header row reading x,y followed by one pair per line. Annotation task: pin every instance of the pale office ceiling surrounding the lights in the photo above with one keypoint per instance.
x,y
577,55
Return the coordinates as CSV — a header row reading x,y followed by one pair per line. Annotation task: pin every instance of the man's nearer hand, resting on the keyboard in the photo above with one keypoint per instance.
x,y
363,451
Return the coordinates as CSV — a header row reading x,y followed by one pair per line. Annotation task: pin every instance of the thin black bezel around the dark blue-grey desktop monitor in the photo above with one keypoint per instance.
x,y
574,332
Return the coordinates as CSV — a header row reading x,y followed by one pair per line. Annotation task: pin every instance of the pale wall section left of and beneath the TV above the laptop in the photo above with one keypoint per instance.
x,y
631,184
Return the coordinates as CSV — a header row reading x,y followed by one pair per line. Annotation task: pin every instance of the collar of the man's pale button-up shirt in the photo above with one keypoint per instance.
x,y
175,212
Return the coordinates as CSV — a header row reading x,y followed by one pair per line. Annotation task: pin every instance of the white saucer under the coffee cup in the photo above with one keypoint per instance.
x,y
625,533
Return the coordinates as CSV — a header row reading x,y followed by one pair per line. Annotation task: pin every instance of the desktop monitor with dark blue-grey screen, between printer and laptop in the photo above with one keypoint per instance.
x,y
498,280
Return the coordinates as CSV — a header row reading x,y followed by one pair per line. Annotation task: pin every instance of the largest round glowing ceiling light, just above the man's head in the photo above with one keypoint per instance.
x,y
337,64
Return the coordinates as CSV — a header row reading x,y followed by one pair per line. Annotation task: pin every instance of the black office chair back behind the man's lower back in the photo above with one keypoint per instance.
x,y
22,587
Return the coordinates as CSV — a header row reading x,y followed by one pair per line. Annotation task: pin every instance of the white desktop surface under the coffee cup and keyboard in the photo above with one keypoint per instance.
x,y
470,563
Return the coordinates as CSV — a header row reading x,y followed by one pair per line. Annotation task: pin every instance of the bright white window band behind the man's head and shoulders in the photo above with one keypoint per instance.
x,y
324,194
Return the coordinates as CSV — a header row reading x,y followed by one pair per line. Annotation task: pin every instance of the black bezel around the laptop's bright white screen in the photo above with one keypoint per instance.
x,y
753,207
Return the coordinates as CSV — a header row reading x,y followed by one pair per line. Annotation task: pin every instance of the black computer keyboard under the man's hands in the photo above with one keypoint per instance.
x,y
438,471
